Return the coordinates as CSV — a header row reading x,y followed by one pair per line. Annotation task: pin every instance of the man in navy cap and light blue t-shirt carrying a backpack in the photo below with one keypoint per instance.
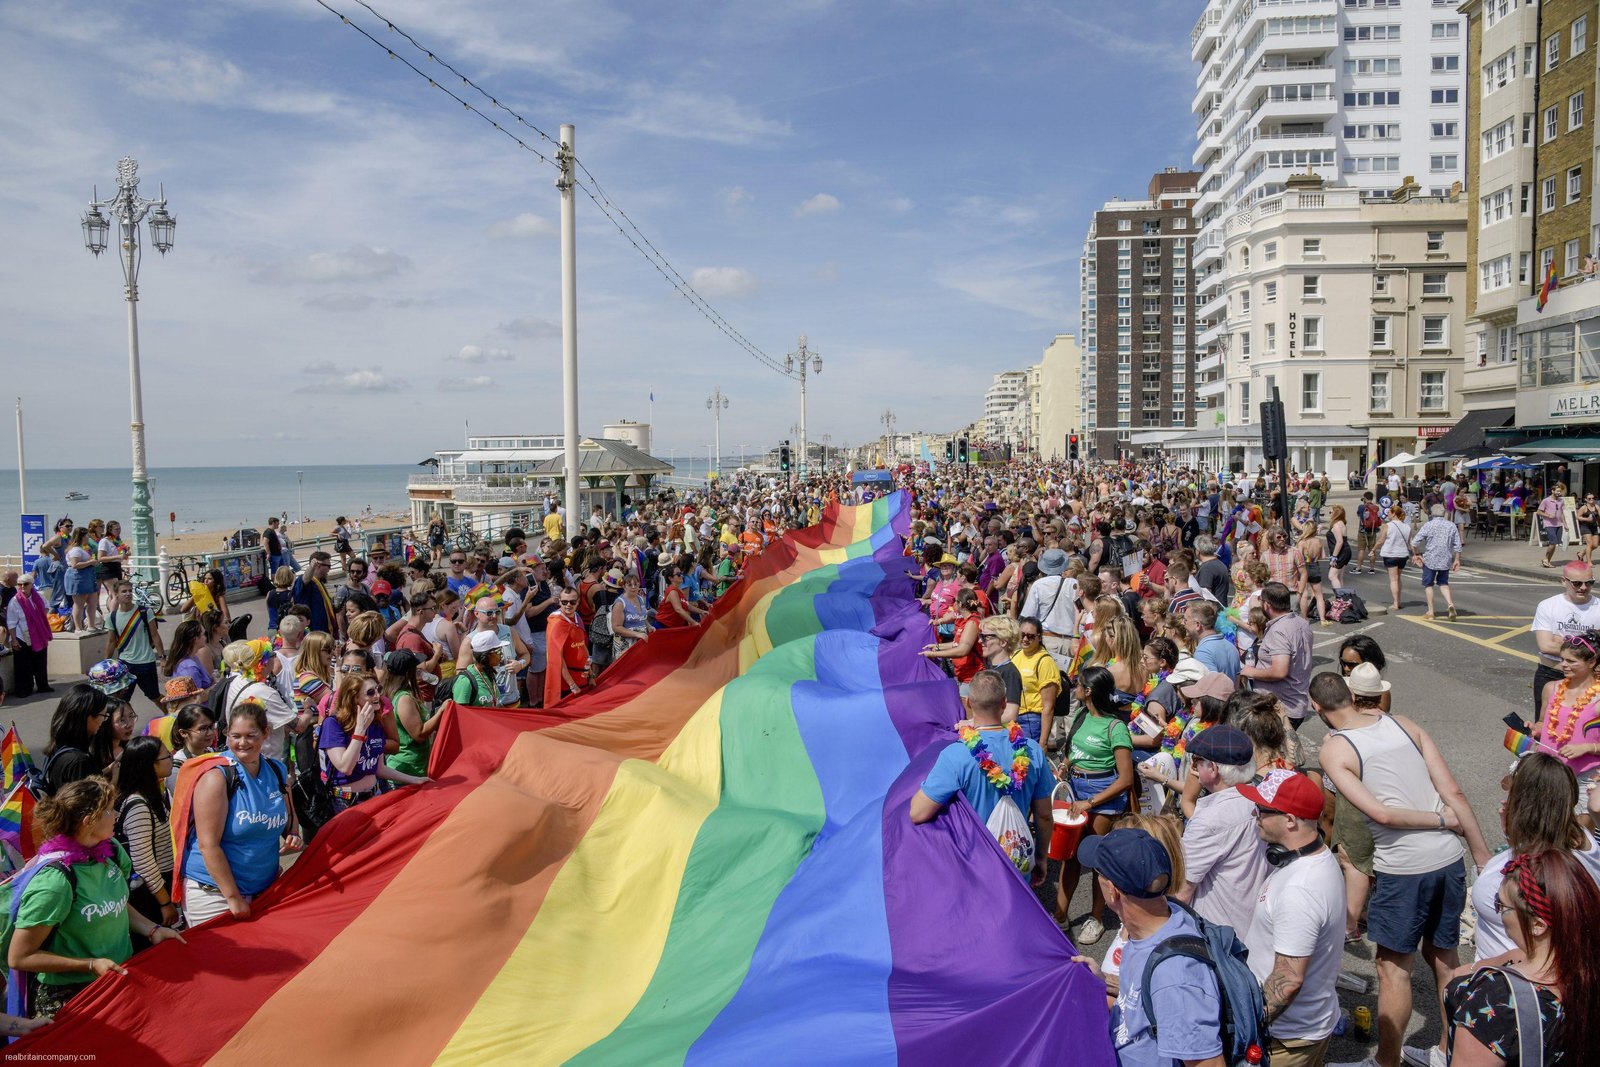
x,y
1135,874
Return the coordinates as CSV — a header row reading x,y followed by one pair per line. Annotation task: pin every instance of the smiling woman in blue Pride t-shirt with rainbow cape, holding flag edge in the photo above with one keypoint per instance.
x,y
233,853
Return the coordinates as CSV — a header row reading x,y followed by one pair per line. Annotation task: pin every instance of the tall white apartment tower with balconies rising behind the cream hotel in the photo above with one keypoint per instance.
x,y
1364,94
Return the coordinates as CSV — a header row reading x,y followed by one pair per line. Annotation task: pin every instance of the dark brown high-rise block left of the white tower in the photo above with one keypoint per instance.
x,y
1138,319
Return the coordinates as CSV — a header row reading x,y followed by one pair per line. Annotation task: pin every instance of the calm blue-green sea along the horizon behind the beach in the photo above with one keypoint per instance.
x,y
225,498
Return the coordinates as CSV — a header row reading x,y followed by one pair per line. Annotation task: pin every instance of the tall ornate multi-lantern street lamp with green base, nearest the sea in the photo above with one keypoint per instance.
x,y
129,209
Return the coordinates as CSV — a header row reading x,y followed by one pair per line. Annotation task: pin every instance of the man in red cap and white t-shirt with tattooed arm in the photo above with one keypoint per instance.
x,y
1297,933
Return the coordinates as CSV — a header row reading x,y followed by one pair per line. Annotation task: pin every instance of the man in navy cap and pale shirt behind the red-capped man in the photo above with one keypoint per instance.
x,y
1225,858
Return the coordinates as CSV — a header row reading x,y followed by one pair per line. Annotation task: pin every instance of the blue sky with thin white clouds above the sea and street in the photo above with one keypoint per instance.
x,y
361,265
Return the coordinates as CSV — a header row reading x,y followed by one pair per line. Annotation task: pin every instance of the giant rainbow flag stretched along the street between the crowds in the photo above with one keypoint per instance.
x,y
708,860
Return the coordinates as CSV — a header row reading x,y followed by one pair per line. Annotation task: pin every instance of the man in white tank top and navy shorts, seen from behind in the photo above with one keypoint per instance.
x,y
1394,775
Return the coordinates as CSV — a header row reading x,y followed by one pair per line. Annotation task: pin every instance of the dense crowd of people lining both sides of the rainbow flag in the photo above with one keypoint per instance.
x,y
1135,652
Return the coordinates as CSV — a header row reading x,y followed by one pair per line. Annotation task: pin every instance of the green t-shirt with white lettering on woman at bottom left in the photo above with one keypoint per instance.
x,y
89,925
